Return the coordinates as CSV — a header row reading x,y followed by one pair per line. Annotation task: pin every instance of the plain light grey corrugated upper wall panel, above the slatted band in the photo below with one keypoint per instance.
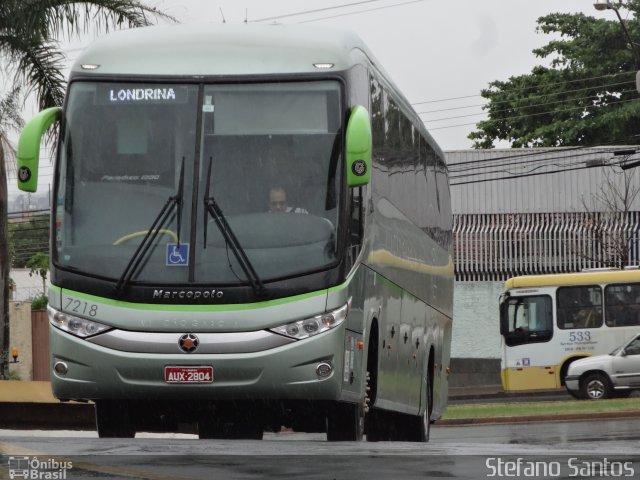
x,y
533,180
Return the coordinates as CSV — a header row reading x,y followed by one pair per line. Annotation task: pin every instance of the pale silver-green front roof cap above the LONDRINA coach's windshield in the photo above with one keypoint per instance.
x,y
223,49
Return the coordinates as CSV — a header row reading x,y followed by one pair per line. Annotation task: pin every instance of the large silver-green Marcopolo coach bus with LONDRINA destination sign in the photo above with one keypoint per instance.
x,y
177,295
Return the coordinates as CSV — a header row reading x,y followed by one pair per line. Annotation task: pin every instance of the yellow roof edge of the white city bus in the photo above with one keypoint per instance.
x,y
580,278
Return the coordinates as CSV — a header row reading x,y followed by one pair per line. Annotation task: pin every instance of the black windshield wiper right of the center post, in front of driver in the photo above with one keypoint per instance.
x,y
212,208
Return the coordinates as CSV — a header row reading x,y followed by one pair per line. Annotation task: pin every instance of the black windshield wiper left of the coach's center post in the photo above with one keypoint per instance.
x,y
157,225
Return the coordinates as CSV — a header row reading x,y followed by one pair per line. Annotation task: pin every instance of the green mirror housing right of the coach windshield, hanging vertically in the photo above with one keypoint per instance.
x,y
358,146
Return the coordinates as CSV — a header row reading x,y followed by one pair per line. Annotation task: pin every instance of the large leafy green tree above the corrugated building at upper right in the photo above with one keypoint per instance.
x,y
586,95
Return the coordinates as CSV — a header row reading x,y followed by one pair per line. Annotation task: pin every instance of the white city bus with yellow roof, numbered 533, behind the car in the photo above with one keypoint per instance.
x,y
548,321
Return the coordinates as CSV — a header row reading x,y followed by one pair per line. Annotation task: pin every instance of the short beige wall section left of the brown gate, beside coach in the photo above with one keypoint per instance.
x,y
20,338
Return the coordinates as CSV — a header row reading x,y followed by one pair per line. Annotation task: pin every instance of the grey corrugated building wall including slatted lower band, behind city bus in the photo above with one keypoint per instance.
x,y
537,223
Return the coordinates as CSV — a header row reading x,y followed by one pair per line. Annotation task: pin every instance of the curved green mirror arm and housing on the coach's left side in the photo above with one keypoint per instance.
x,y
29,147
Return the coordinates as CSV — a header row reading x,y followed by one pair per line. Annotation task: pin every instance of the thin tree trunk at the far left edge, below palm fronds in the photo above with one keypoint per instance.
x,y
4,270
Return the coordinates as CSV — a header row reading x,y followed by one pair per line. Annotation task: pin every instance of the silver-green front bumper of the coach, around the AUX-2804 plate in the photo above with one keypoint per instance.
x,y
285,372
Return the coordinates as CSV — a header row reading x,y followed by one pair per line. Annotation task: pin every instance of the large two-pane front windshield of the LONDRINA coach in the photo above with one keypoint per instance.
x,y
143,162
